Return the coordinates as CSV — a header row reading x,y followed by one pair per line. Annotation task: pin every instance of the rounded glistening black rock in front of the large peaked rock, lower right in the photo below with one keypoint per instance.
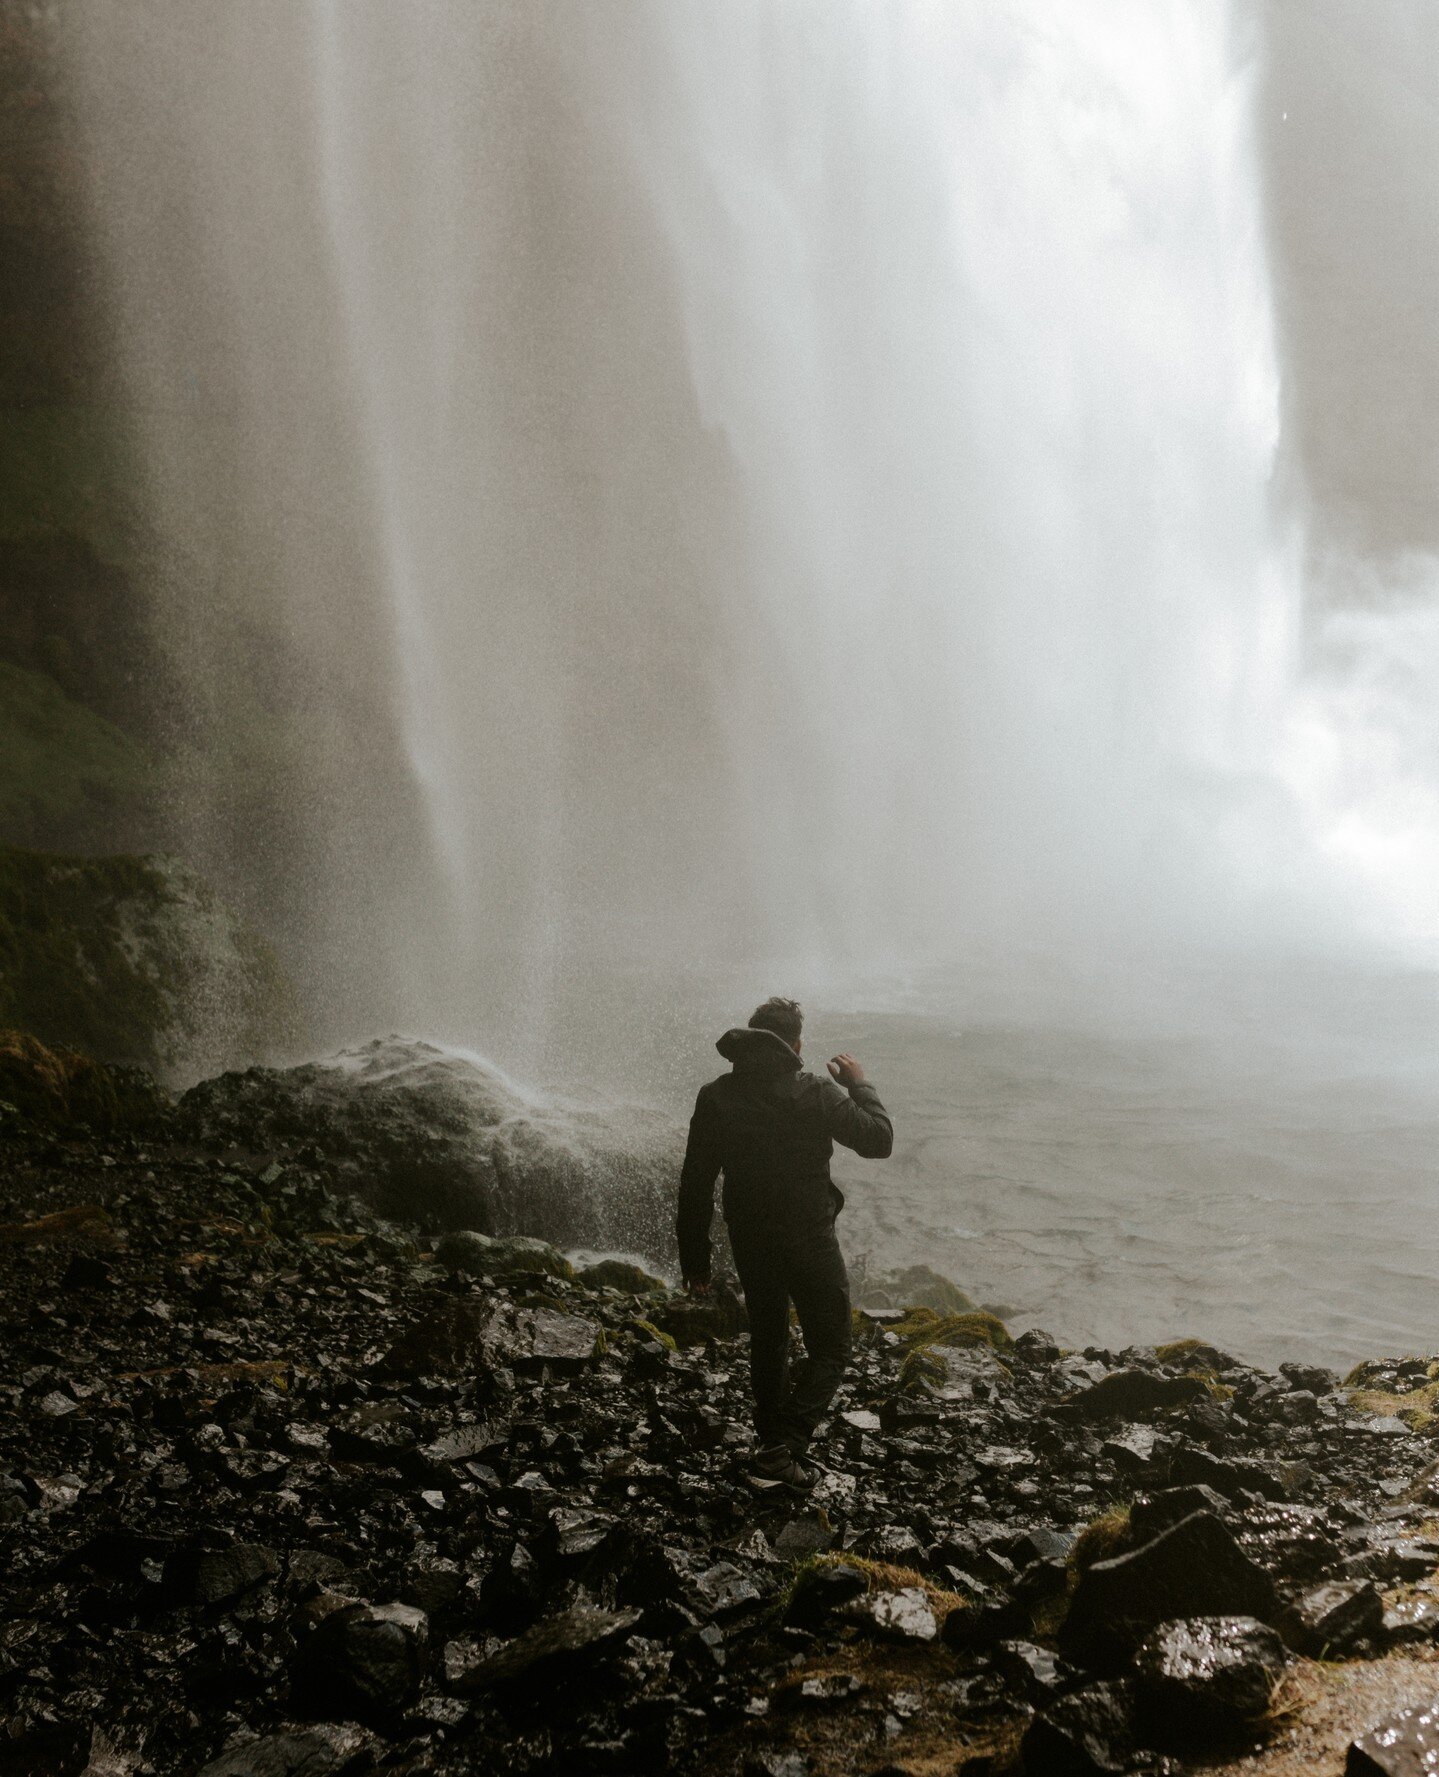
x,y
1207,1678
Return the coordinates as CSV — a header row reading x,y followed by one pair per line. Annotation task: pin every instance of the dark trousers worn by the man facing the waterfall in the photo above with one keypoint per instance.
x,y
807,1270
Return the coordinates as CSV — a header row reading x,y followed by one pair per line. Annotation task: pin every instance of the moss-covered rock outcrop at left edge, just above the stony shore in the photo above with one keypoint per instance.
x,y
136,960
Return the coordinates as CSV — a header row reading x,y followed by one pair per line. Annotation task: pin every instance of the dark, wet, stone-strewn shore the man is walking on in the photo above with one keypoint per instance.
x,y
289,1488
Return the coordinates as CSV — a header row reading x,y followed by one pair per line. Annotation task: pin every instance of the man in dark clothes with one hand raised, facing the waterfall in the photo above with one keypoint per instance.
x,y
772,1128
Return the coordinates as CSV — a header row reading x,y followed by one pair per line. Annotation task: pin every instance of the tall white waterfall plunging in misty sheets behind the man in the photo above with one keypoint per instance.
x,y
799,479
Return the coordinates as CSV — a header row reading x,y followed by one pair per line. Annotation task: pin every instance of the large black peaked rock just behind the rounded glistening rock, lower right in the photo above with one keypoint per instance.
x,y
1195,1568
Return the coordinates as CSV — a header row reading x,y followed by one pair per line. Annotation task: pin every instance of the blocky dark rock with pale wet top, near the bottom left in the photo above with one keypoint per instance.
x,y
365,1661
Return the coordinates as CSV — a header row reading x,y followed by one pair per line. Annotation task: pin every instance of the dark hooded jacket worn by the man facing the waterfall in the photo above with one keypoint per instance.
x,y
770,1128
